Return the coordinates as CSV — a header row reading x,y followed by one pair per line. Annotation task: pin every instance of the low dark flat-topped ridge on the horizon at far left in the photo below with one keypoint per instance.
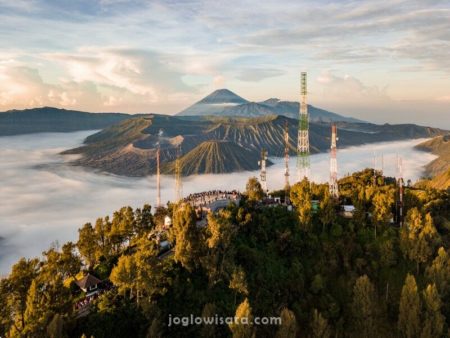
x,y
49,119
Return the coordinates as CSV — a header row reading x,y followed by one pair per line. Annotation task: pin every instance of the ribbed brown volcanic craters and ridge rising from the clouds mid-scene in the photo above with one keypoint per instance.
x,y
217,144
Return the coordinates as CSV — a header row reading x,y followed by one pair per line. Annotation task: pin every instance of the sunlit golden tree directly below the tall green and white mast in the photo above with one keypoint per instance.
x,y
301,199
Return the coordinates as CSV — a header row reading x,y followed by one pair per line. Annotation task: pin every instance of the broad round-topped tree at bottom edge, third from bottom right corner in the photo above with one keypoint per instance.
x,y
365,308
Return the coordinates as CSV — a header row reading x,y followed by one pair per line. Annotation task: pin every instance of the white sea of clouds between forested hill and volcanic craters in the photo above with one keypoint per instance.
x,y
44,200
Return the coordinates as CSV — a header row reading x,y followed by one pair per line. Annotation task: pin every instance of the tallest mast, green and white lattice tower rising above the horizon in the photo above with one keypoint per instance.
x,y
303,132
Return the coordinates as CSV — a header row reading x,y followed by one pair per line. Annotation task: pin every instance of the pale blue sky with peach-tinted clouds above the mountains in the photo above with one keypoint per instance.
x,y
383,62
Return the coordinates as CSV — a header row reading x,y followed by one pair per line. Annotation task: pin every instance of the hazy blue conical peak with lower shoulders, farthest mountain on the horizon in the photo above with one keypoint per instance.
x,y
224,102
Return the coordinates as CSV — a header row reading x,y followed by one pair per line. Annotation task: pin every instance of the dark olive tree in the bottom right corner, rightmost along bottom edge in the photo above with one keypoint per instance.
x,y
433,321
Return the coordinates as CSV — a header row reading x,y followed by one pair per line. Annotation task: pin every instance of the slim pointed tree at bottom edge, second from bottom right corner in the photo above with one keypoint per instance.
x,y
409,324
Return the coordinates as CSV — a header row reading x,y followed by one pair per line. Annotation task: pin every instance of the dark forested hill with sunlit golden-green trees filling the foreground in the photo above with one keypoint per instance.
x,y
325,275
